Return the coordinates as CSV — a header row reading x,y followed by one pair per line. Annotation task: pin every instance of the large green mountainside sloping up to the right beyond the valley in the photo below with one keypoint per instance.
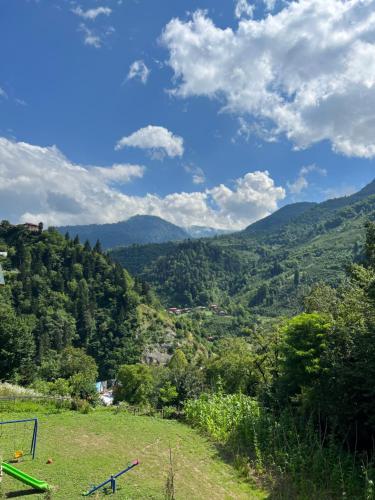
x,y
269,266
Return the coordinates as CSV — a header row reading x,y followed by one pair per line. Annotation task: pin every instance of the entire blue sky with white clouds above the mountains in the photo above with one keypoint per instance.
x,y
203,112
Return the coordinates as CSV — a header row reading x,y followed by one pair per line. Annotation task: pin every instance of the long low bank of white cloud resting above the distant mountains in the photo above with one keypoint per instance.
x,y
41,184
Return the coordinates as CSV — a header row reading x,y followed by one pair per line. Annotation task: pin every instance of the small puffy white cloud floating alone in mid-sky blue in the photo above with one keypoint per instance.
x,y
159,140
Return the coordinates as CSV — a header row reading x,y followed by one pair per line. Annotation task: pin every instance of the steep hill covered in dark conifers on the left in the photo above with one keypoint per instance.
x,y
60,294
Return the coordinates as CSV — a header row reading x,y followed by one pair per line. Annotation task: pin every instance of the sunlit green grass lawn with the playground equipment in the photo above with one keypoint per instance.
x,y
86,449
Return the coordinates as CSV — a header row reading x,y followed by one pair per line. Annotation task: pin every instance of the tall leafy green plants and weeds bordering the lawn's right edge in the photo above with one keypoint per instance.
x,y
301,463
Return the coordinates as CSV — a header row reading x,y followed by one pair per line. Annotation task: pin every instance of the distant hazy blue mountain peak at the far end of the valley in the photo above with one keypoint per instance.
x,y
140,229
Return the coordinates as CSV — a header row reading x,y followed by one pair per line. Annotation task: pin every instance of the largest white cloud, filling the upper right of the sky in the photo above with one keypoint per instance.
x,y
307,71
